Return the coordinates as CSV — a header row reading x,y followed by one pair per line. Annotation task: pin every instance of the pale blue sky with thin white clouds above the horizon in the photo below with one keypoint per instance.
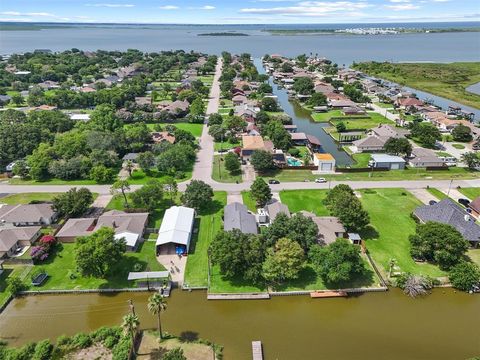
x,y
239,12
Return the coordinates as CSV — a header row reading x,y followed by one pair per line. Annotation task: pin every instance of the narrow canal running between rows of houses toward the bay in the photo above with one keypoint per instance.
x,y
305,123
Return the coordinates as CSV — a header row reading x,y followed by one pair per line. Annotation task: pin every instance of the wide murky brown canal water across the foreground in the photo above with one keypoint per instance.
x,y
443,325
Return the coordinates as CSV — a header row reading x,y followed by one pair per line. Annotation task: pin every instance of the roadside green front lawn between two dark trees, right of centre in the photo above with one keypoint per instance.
x,y
309,200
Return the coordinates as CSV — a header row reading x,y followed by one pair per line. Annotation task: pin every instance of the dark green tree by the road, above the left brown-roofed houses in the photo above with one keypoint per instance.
x,y
73,202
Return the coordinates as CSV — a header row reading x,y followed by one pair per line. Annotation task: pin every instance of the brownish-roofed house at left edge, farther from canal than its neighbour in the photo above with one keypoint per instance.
x,y
27,214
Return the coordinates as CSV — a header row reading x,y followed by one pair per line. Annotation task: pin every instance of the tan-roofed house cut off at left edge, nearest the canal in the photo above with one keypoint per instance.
x,y
14,238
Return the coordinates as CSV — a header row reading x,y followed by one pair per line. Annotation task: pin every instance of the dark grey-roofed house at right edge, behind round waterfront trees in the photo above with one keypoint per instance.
x,y
449,212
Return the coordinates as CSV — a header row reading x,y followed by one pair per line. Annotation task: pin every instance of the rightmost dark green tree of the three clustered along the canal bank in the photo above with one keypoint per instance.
x,y
337,262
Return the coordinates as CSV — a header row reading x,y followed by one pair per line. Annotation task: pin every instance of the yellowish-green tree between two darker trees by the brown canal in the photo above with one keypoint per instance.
x,y
284,261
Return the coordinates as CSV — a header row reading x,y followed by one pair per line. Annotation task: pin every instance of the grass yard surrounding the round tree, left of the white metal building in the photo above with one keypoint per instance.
x,y
63,275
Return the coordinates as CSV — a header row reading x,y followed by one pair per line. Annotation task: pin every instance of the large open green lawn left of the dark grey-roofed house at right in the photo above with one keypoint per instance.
x,y
391,225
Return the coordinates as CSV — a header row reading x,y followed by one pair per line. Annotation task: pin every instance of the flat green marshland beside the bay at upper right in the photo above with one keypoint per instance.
x,y
447,80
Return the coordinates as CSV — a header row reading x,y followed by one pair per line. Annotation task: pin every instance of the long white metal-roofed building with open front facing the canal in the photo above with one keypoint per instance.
x,y
176,231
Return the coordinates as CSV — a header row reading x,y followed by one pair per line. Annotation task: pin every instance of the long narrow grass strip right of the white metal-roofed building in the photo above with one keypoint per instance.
x,y
210,222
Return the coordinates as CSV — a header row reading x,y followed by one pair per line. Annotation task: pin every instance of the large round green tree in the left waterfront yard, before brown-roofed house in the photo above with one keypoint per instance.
x,y
97,254
